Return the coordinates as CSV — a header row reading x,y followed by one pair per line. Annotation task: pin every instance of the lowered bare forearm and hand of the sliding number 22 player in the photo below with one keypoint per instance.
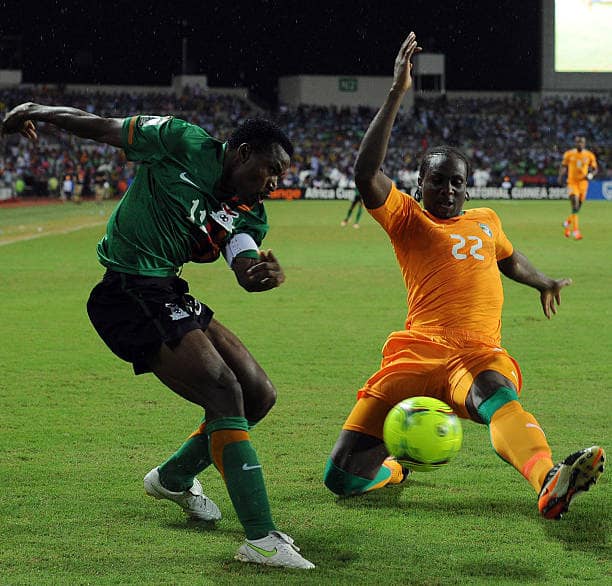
x,y
518,268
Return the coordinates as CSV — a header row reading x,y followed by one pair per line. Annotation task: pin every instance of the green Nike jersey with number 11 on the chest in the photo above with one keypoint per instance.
x,y
174,211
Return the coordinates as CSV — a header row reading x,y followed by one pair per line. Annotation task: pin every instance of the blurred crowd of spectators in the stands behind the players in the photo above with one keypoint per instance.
x,y
508,139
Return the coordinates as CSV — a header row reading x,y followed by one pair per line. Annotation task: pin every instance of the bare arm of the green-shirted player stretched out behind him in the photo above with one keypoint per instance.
x,y
22,119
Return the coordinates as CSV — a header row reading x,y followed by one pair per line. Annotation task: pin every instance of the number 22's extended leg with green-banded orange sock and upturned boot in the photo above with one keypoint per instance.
x,y
518,438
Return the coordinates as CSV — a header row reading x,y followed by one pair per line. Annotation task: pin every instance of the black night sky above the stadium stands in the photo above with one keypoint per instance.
x,y
488,45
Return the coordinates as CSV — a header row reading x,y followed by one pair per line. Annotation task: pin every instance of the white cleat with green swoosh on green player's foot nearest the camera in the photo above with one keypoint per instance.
x,y
275,549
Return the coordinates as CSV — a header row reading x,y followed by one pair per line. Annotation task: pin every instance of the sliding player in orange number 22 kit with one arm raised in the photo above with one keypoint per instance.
x,y
449,349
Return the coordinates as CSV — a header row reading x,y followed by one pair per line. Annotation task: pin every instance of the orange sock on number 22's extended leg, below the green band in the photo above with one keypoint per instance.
x,y
518,438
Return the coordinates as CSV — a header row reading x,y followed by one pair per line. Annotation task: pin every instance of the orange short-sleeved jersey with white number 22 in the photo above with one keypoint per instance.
x,y
449,266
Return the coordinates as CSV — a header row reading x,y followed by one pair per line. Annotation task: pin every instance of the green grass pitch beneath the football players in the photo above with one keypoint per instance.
x,y
78,431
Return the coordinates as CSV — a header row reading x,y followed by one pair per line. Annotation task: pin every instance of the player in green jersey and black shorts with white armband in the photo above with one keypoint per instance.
x,y
194,198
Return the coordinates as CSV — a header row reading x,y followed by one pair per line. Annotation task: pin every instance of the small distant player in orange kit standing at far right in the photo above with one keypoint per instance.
x,y
580,166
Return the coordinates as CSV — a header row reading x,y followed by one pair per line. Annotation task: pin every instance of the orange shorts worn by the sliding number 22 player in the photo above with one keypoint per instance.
x,y
431,362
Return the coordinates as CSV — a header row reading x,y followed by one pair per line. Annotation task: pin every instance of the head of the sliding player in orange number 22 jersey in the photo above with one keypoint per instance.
x,y
444,186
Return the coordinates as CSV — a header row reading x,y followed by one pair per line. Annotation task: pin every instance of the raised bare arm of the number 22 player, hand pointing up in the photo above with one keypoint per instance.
x,y
371,182
